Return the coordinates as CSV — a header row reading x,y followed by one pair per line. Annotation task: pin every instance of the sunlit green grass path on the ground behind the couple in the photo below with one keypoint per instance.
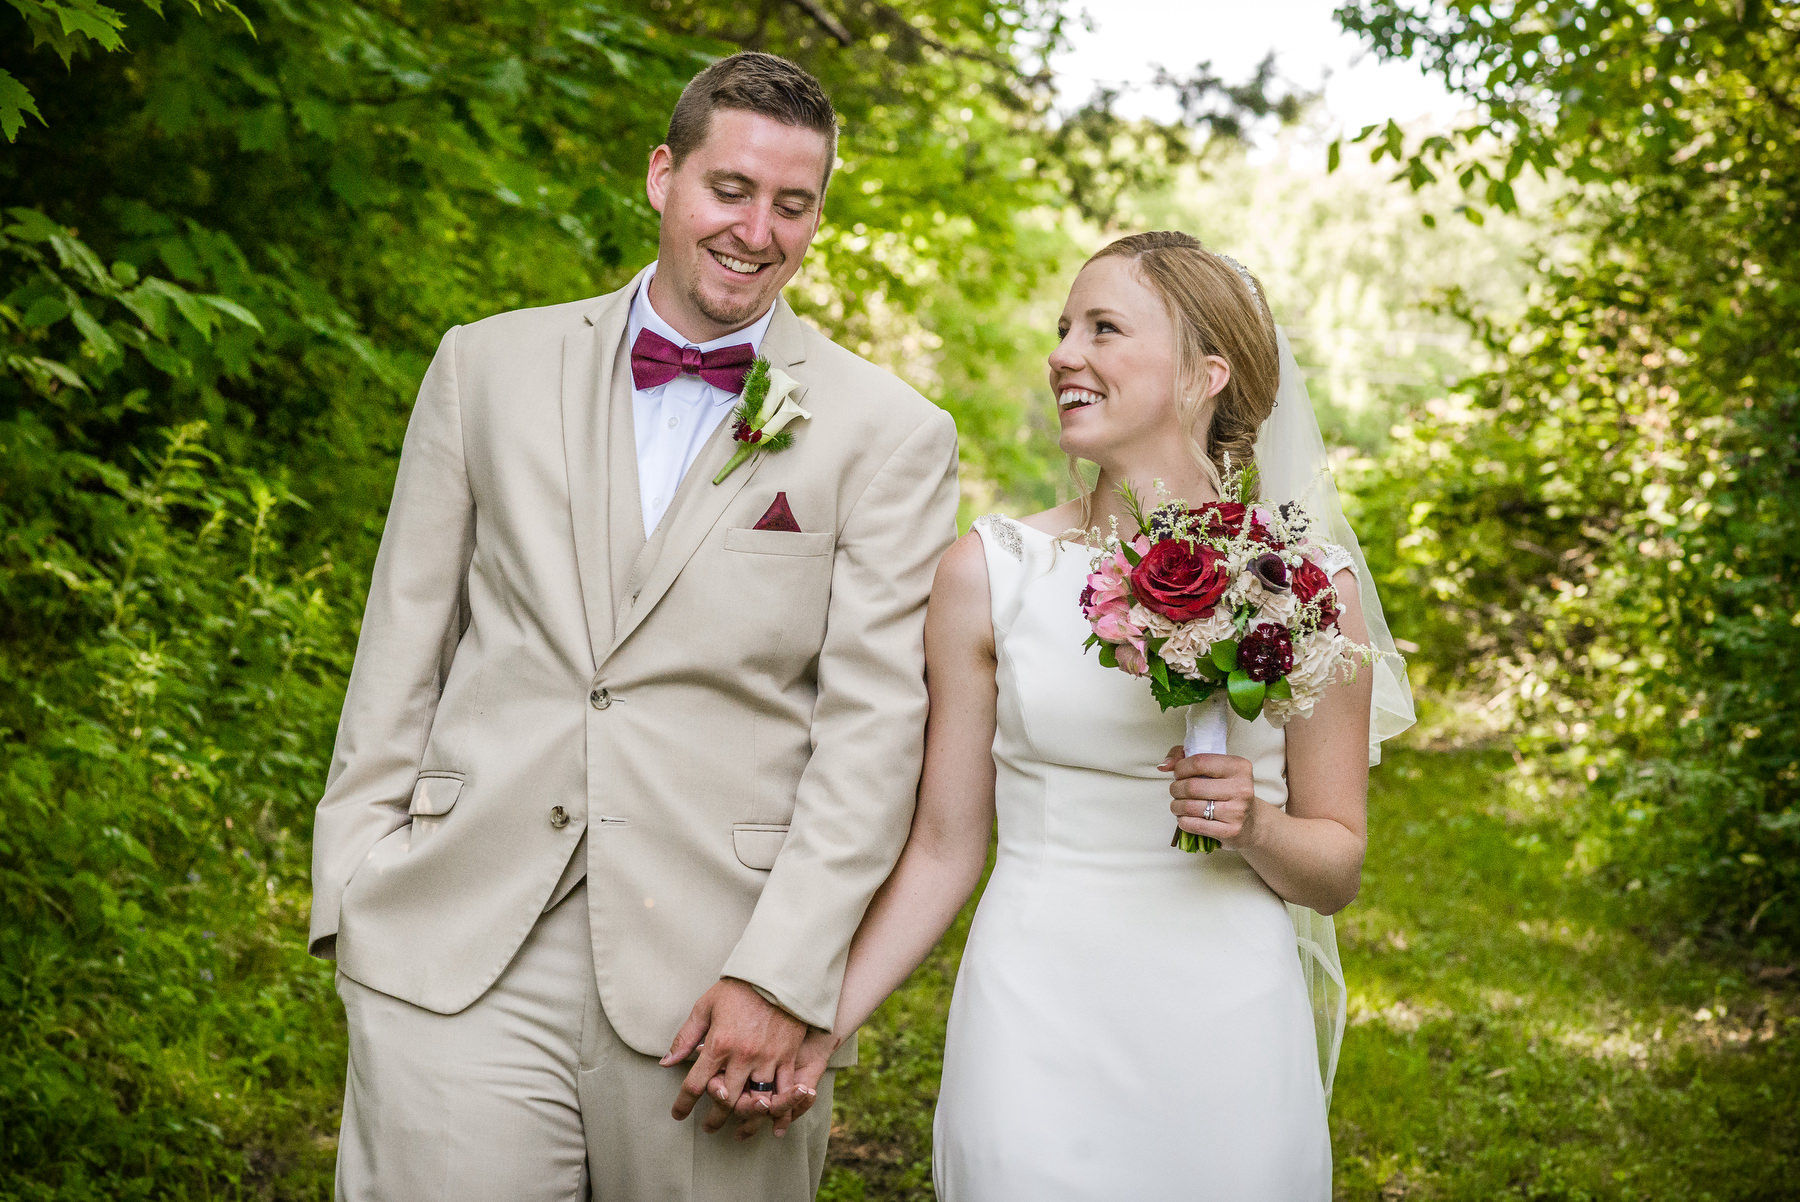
x,y
1516,1032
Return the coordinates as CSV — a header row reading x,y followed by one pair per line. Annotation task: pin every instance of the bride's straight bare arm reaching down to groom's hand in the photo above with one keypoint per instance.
x,y
949,845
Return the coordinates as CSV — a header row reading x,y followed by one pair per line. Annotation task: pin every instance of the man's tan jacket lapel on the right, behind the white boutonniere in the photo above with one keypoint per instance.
x,y
699,503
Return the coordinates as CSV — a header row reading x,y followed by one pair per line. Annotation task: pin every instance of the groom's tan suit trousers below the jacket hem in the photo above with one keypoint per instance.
x,y
528,1097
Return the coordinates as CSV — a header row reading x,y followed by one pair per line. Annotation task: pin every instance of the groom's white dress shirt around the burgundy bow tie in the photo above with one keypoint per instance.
x,y
674,420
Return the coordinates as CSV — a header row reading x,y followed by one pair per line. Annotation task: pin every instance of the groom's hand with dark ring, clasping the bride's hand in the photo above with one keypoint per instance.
x,y
741,1037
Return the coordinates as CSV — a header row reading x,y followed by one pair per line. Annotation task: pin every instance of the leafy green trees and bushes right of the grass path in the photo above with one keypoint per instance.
x,y
1599,528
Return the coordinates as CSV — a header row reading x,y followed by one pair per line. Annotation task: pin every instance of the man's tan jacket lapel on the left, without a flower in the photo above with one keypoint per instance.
x,y
589,368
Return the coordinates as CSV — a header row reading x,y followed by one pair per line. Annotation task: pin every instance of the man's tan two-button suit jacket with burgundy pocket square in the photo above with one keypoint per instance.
x,y
726,722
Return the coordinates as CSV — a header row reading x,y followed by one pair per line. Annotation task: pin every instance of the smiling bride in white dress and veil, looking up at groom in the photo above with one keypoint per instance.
x,y
1131,1021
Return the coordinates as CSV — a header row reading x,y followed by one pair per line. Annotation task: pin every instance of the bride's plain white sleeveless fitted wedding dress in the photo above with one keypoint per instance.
x,y
1129,1021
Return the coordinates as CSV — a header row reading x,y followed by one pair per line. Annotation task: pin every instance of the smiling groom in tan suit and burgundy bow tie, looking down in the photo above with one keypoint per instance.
x,y
625,746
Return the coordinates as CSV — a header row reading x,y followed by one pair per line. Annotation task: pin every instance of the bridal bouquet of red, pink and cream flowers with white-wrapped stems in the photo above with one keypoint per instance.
x,y
1228,604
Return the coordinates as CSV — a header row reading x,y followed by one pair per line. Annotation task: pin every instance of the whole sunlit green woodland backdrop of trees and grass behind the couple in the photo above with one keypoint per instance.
x,y
1538,260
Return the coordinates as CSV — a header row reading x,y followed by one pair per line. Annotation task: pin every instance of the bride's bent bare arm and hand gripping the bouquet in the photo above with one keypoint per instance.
x,y
1311,852
